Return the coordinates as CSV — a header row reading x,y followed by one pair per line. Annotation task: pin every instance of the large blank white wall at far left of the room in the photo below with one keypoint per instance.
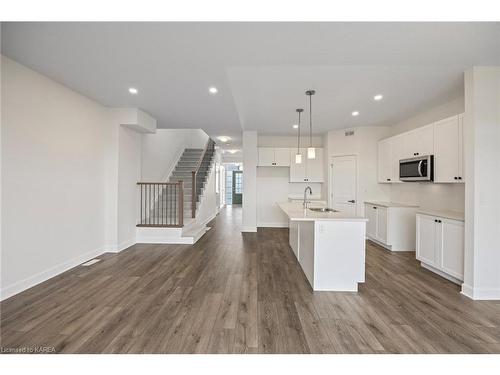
x,y
54,150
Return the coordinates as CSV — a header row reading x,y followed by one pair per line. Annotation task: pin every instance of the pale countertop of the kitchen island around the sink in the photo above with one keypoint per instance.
x,y
296,212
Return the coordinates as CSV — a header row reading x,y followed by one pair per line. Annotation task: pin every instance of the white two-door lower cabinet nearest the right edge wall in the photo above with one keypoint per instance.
x,y
440,245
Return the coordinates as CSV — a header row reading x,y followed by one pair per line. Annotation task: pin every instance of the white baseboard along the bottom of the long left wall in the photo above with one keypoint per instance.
x,y
40,277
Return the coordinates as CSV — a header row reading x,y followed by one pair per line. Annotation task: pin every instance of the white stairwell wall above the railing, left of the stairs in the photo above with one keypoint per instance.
x,y
161,150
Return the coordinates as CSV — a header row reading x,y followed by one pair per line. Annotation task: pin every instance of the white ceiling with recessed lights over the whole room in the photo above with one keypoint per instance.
x,y
260,69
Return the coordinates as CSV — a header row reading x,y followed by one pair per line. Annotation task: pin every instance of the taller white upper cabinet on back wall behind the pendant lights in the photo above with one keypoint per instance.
x,y
310,170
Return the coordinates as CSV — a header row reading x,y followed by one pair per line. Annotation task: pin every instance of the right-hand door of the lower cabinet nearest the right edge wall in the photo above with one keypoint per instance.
x,y
452,247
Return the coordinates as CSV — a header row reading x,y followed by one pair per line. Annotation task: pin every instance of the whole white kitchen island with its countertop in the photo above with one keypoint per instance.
x,y
330,246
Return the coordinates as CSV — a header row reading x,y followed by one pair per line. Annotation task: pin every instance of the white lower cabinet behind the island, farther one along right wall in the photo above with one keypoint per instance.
x,y
391,226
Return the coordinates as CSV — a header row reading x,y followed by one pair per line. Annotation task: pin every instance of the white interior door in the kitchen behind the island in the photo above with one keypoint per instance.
x,y
343,184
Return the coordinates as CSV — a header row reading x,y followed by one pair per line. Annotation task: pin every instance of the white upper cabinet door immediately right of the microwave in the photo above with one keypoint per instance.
x,y
447,154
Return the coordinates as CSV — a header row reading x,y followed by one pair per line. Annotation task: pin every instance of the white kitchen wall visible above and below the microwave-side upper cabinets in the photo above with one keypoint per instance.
x,y
430,195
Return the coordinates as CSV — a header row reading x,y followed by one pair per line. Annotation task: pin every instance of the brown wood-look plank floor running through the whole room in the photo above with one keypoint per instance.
x,y
234,293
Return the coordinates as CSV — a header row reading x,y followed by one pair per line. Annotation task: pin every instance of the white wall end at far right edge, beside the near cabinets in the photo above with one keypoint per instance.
x,y
482,183
